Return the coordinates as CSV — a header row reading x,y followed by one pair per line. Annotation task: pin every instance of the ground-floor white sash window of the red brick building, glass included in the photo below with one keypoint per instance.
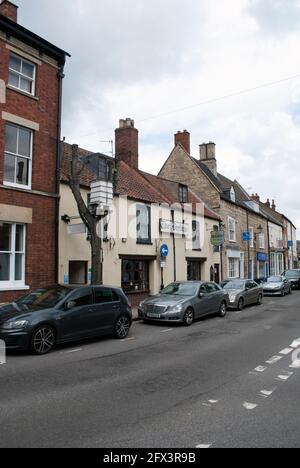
x,y
12,255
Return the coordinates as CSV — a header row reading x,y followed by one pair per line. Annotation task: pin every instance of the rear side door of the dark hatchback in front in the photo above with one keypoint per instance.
x,y
107,308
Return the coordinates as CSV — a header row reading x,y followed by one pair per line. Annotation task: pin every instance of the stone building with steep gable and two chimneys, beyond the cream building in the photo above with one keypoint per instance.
x,y
245,250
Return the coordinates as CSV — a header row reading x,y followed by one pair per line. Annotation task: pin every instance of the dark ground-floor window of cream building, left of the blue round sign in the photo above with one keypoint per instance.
x,y
135,275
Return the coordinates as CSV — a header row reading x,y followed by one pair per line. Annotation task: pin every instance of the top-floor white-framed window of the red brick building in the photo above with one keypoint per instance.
x,y
22,74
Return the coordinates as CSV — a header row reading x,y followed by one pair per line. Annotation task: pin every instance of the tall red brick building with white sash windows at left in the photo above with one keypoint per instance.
x,y
31,73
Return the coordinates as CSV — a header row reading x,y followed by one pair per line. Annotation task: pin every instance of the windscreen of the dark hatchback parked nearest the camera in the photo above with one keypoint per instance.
x,y
44,298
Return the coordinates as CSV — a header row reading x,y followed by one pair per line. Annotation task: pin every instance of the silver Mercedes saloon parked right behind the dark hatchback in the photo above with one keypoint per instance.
x,y
183,302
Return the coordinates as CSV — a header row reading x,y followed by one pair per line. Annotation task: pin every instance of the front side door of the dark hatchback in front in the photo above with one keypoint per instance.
x,y
74,323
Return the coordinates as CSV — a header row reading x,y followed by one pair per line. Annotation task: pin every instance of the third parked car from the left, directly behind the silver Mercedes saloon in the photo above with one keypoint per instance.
x,y
243,293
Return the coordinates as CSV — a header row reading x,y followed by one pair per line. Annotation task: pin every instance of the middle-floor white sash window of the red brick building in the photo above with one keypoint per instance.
x,y
18,156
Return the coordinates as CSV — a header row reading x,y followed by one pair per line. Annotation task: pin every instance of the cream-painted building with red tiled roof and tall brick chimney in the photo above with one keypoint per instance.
x,y
148,213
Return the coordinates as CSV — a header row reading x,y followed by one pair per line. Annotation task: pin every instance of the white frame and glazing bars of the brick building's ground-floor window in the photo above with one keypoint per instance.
x,y
12,282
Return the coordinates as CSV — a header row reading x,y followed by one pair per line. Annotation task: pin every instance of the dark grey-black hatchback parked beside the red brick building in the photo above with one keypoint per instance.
x,y
61,314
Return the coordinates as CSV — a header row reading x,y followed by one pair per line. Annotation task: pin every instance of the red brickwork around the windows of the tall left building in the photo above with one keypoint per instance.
x,y
40,245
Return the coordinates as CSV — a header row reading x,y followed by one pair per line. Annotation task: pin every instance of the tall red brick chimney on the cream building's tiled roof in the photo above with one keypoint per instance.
x,y
127,143
